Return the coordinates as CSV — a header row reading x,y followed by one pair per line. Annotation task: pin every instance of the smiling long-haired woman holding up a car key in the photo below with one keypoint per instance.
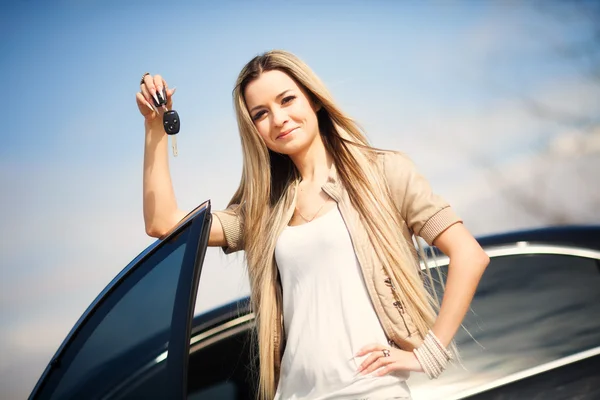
x,y
326,223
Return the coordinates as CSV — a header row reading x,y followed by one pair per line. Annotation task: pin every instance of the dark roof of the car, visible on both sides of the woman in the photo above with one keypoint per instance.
x,y
585,236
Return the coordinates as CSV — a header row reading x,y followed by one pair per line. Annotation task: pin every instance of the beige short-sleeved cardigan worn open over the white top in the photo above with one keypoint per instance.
x,y
424,214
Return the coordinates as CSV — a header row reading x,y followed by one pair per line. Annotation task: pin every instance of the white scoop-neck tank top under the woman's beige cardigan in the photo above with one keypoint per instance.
x,y
328,316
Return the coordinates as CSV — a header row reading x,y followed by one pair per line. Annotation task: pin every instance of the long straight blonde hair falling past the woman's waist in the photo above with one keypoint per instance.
x,y
265,201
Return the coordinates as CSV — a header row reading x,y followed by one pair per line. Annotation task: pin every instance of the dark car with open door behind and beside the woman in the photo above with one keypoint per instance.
x,y
533,329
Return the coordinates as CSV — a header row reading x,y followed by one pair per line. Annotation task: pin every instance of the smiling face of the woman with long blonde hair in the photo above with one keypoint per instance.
x,y
282,113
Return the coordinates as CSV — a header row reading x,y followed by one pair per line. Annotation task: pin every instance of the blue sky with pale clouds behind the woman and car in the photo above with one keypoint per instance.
x,y
438,80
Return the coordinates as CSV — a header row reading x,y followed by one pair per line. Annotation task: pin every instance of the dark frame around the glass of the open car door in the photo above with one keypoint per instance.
x,y
198,221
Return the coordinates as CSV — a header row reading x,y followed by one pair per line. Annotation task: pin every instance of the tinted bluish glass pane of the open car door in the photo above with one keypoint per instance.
x,y
127,331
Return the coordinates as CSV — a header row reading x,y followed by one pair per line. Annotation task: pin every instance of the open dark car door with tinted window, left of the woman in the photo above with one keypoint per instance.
x,y
133,341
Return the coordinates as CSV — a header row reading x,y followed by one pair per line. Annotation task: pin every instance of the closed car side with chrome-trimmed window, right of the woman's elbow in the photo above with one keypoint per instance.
x,y
533,326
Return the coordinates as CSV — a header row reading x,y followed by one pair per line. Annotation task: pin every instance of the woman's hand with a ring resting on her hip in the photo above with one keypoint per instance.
x,y
388,359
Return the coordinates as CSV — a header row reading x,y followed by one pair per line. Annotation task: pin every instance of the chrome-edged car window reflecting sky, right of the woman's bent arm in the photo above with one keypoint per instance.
x,y
528,310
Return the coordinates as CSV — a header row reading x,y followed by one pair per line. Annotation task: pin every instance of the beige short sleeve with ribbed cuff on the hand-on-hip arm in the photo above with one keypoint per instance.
x,y
426,213
